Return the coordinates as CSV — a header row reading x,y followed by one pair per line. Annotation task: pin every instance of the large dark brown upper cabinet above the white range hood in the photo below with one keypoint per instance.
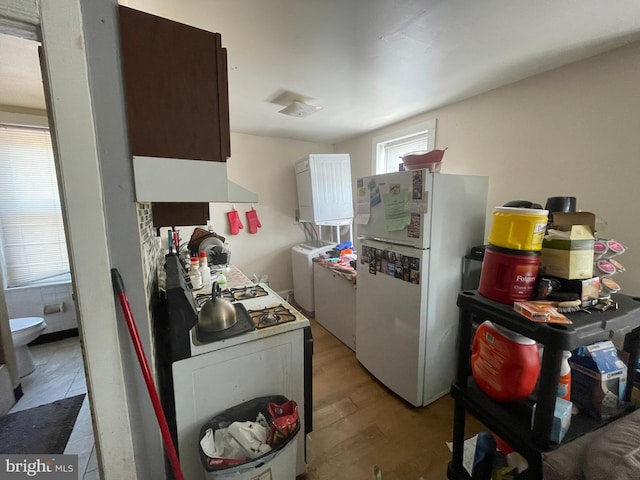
x,y
176,88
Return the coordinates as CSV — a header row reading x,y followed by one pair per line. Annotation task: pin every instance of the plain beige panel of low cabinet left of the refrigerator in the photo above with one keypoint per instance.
x,y
335,304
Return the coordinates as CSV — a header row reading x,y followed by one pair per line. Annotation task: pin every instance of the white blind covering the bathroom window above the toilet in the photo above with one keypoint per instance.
x,y
31,229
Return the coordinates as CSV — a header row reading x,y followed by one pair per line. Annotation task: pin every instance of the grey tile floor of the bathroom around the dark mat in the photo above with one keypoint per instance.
x,y
59,374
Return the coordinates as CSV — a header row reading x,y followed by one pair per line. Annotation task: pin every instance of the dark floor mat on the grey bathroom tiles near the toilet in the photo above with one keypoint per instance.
x,y
38,430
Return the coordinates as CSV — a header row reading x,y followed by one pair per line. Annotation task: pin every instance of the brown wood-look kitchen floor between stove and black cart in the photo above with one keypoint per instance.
x,y
358,423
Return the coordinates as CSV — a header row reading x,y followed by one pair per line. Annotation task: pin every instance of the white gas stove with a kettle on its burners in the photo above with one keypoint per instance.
x,y
271,355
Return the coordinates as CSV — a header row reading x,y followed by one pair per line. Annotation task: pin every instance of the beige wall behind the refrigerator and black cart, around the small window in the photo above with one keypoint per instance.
x,y
572,131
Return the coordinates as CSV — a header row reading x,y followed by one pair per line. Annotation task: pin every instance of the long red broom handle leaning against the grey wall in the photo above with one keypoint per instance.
x,y
118,286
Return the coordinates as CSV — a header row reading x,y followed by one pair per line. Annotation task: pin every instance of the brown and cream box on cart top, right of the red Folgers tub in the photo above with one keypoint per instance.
x,y
567,249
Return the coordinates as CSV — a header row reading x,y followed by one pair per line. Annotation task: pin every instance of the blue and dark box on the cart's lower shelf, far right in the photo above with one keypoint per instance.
x,y
598,378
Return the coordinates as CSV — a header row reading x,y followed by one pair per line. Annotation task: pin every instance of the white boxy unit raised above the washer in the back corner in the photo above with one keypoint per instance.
x,y
325,193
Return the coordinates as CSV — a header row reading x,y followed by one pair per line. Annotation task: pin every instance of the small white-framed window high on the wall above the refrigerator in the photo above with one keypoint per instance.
x,y
390,148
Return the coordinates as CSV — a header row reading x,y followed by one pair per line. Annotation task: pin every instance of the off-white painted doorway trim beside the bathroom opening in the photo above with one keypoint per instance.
x,y
74,135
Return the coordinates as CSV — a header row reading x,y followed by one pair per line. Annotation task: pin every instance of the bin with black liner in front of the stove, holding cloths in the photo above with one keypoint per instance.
x,y
280,461
